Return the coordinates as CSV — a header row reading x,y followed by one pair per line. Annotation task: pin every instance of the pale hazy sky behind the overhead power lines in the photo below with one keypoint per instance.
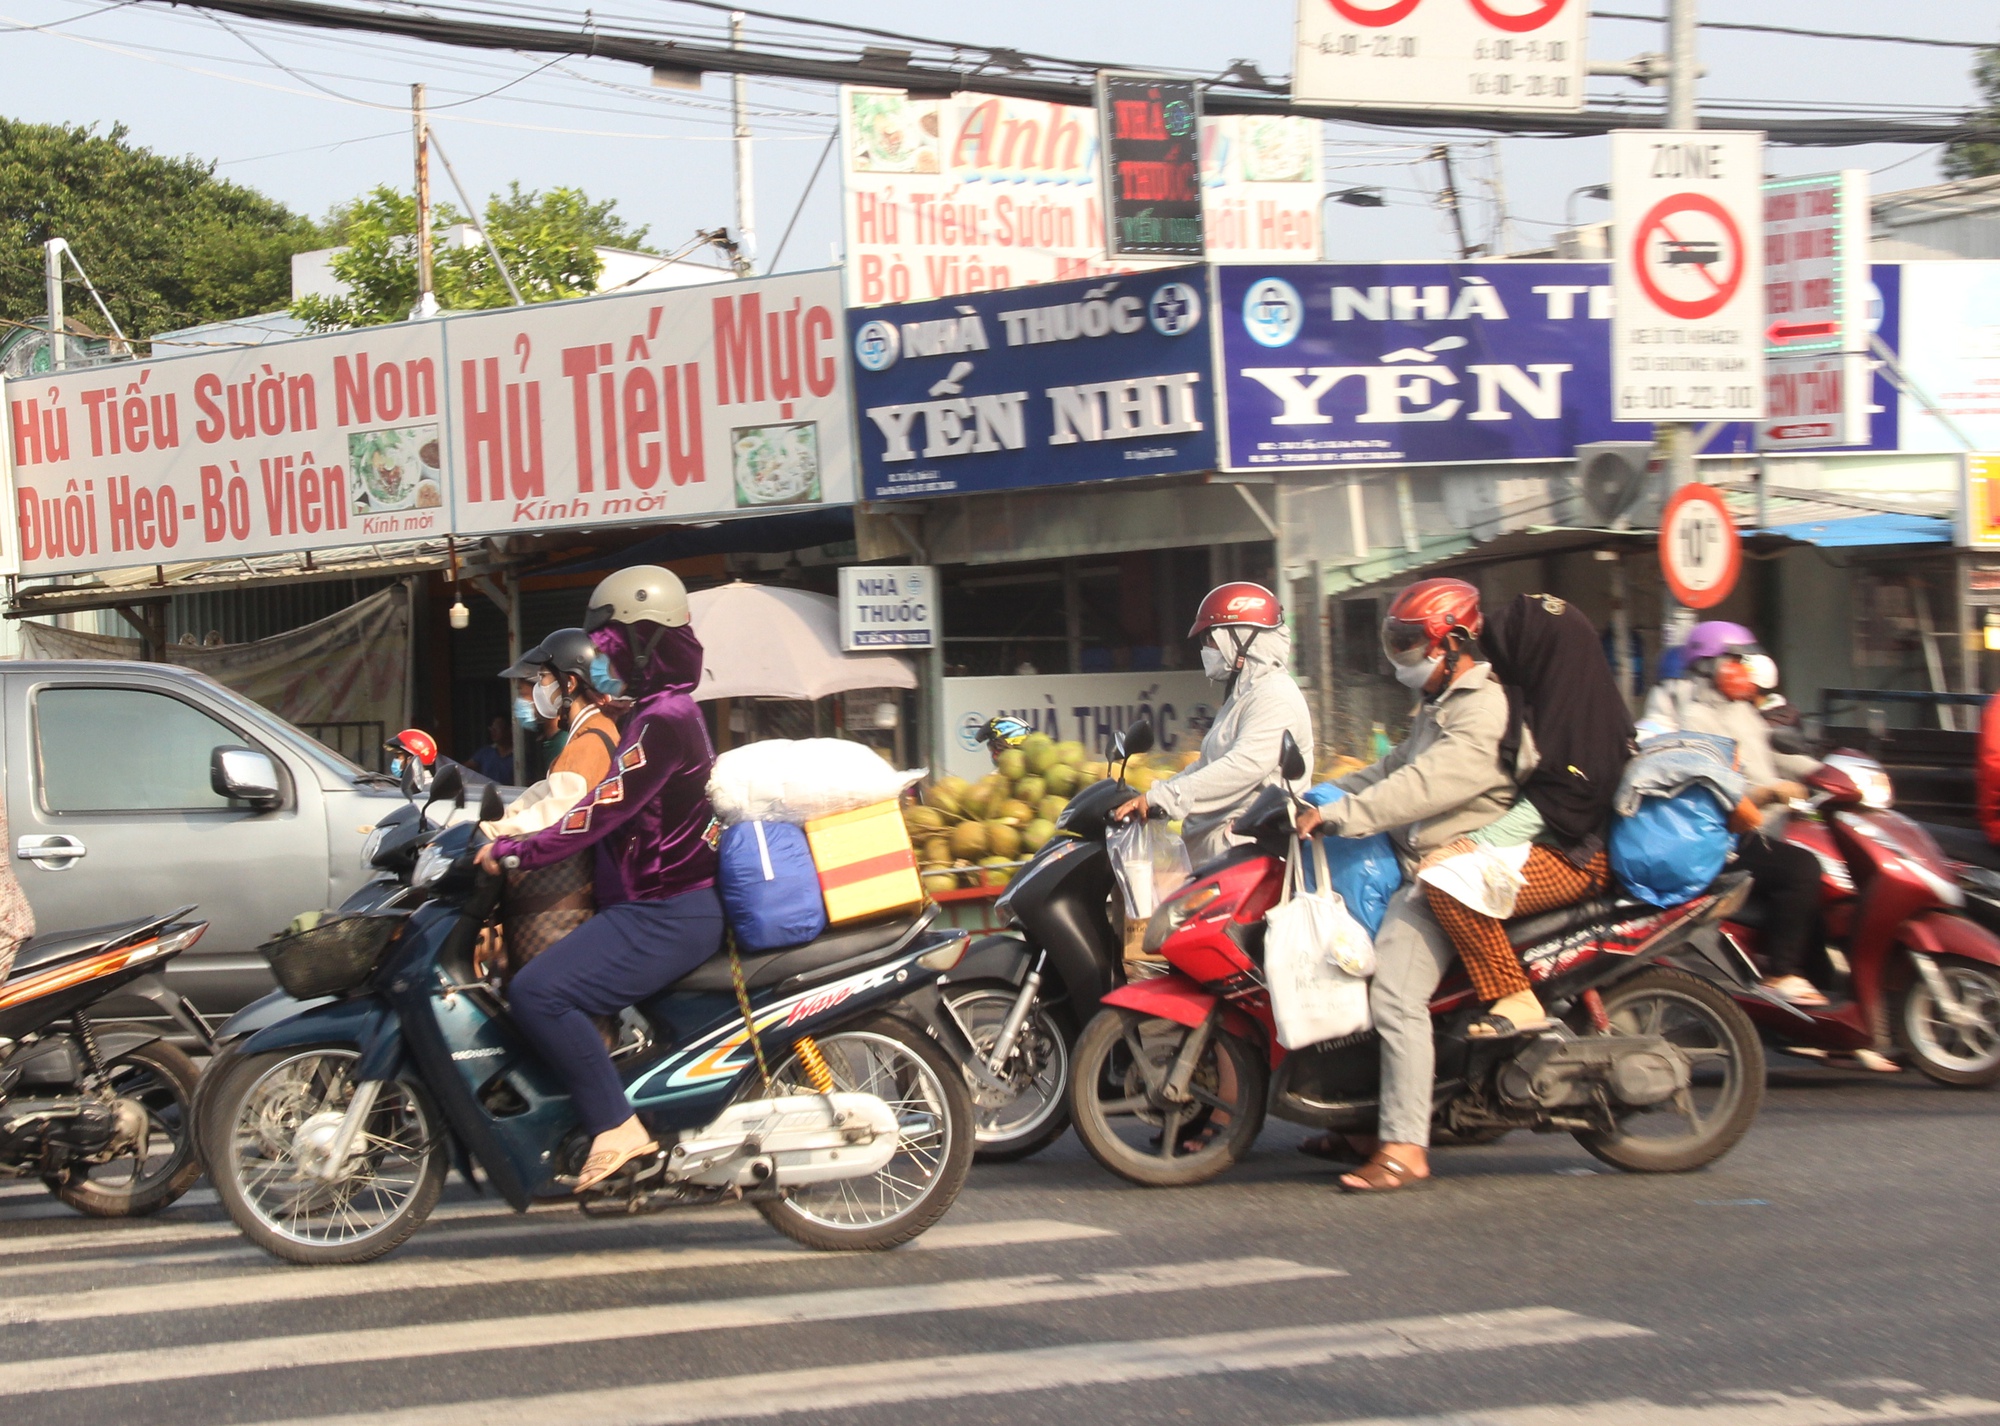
x,y
315,117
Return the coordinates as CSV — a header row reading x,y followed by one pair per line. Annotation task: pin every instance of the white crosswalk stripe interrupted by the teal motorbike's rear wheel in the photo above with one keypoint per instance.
x,y
431,1273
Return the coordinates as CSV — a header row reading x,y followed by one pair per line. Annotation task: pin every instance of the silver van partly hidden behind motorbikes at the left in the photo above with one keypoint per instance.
x,y
133,789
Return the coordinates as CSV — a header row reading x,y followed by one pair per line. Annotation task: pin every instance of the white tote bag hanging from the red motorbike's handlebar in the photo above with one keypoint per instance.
x,y
1317,957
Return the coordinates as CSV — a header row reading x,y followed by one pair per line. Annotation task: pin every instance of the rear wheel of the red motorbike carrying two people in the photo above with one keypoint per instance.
x,y
1727,1079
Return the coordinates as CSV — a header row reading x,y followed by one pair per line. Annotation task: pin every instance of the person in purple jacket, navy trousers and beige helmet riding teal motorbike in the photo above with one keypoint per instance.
x,y
659,915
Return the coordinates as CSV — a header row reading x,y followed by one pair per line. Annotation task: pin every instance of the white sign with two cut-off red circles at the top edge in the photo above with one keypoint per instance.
x,y
1477,55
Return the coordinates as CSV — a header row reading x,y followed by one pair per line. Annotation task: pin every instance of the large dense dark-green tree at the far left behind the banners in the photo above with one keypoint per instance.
x,y
163,239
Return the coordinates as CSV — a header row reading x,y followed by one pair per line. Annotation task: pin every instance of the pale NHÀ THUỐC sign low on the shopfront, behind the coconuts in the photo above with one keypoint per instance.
x,y
1089,709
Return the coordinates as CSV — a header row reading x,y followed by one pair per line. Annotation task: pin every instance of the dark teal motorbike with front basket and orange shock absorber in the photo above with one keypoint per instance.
x,y
827,1085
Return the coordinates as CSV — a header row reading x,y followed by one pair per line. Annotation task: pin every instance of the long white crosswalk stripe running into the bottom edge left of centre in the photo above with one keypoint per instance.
x,y
935,1379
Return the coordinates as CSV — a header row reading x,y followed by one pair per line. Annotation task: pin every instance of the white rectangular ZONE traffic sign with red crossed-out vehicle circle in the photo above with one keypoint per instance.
x,y
1689,275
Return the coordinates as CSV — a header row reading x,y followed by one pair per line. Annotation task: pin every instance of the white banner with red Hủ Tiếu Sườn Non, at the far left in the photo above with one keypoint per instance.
x,y
251,451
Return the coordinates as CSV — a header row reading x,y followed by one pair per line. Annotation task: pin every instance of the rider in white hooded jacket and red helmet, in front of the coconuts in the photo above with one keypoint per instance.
x,y
1245,649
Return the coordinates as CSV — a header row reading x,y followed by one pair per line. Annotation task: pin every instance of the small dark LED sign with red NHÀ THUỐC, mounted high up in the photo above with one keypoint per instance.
x,y
1153,165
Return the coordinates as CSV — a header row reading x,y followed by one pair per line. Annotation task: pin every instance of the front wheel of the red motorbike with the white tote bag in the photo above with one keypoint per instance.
x,y
1123,1059
